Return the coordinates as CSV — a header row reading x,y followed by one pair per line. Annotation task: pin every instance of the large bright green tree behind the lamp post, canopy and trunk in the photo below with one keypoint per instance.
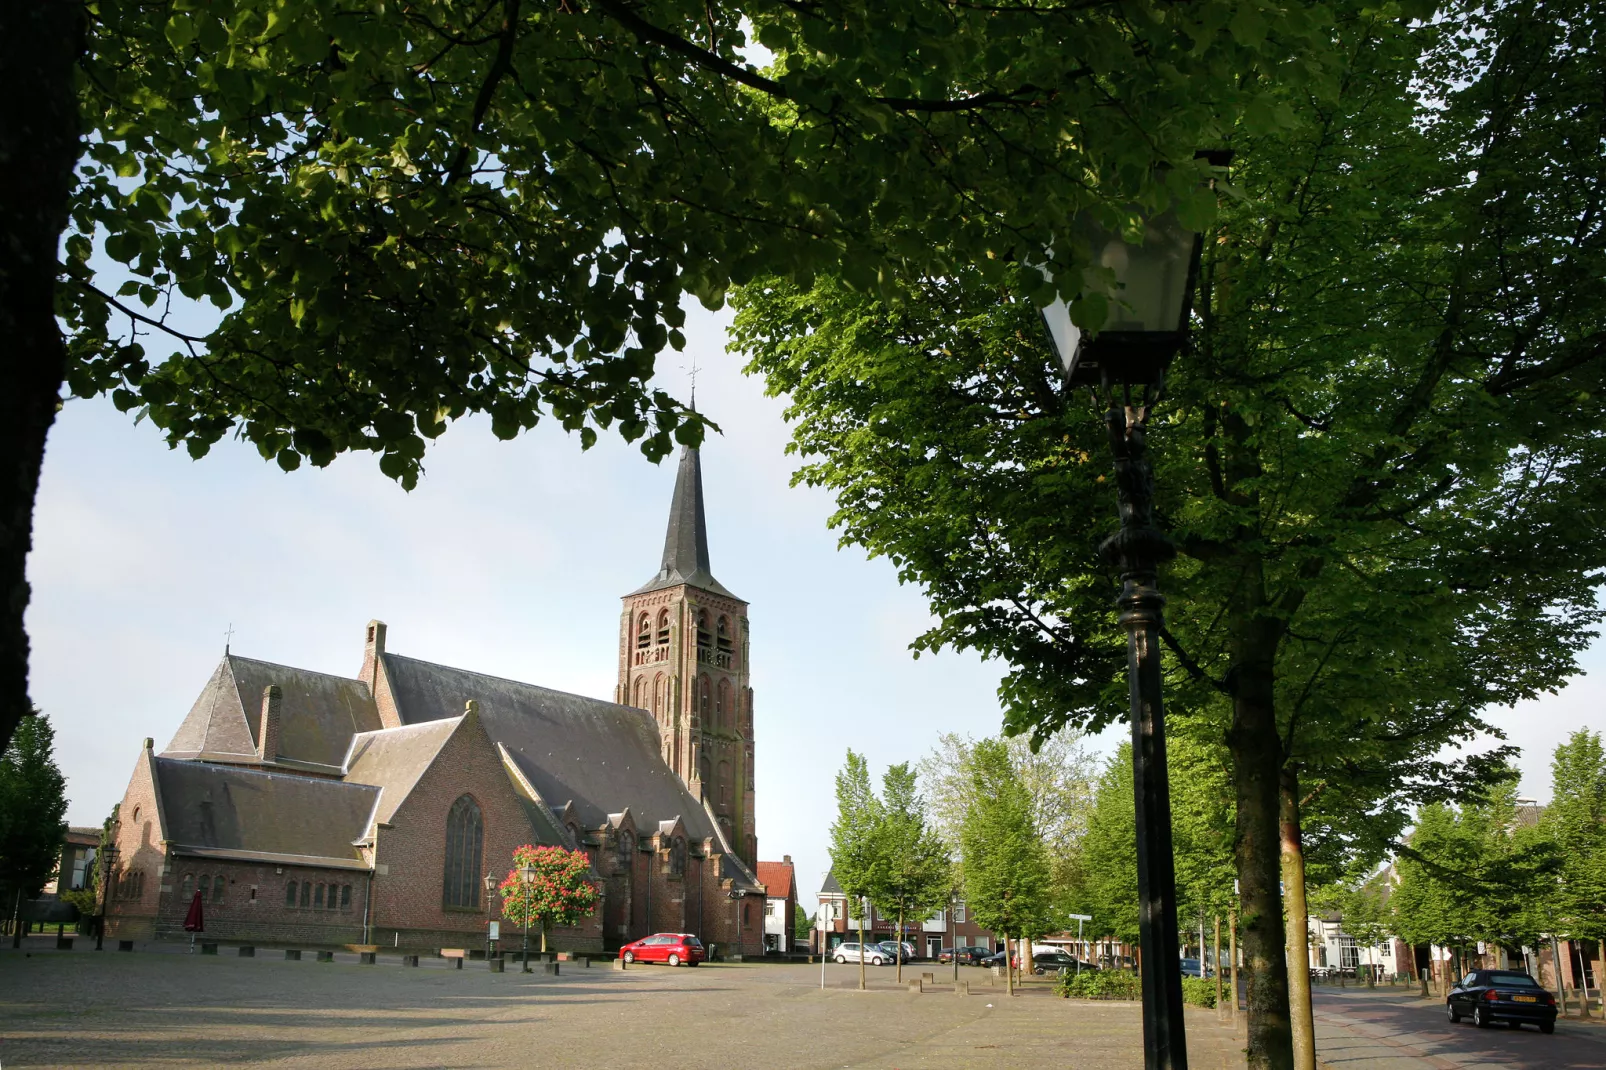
x,y
1382,465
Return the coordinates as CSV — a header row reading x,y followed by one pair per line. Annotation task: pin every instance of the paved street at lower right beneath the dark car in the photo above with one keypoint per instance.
x,y
1392,1029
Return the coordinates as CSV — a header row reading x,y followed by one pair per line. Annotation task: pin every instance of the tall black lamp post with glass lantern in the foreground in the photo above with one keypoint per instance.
x,y
1151,288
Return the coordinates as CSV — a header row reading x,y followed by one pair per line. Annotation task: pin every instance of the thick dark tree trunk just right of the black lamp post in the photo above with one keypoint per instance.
x,y
1258,762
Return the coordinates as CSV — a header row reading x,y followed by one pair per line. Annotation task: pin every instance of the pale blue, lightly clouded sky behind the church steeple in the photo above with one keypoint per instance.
x,y
510,558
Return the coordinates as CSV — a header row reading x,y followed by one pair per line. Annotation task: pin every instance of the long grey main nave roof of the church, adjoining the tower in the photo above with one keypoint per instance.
x,y
598,756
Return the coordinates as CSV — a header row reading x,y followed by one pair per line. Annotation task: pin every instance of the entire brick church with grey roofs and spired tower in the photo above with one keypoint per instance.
x,y
380,811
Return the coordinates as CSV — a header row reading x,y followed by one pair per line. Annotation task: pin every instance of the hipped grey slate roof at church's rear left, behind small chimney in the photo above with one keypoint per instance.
x,y
317,719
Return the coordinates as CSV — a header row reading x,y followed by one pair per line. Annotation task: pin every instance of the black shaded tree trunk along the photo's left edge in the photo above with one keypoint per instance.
x,y
39,147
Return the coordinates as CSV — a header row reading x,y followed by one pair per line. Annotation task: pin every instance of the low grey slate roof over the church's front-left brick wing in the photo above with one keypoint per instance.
x,y
229,811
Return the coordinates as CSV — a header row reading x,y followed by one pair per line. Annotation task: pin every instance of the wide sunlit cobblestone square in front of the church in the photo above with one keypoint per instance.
x,y
118,1010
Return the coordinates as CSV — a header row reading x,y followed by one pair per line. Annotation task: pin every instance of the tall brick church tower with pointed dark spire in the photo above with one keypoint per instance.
x,y
683,658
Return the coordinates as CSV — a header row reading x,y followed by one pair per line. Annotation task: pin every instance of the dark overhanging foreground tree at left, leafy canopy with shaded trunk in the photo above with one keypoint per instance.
x,y
409,213
